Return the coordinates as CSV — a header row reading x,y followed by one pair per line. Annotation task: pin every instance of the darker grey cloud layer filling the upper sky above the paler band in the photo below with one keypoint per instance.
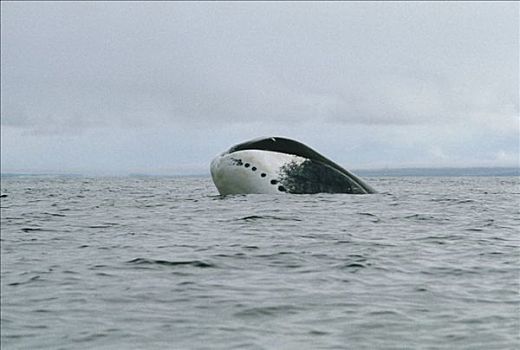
x,y
165,62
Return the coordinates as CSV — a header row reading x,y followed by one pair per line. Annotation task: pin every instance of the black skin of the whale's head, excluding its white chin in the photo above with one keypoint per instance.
x,y
317,174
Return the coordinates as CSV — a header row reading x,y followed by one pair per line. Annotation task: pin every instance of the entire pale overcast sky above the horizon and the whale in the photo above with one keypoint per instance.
x,y
115,88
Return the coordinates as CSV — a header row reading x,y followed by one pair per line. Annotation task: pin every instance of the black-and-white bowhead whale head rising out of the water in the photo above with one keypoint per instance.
x,y
278,165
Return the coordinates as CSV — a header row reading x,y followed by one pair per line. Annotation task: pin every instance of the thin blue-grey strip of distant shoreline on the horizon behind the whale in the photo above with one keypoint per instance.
x,y
387,172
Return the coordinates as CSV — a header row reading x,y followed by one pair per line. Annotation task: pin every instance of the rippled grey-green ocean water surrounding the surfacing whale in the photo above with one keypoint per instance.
x,y
164,262
